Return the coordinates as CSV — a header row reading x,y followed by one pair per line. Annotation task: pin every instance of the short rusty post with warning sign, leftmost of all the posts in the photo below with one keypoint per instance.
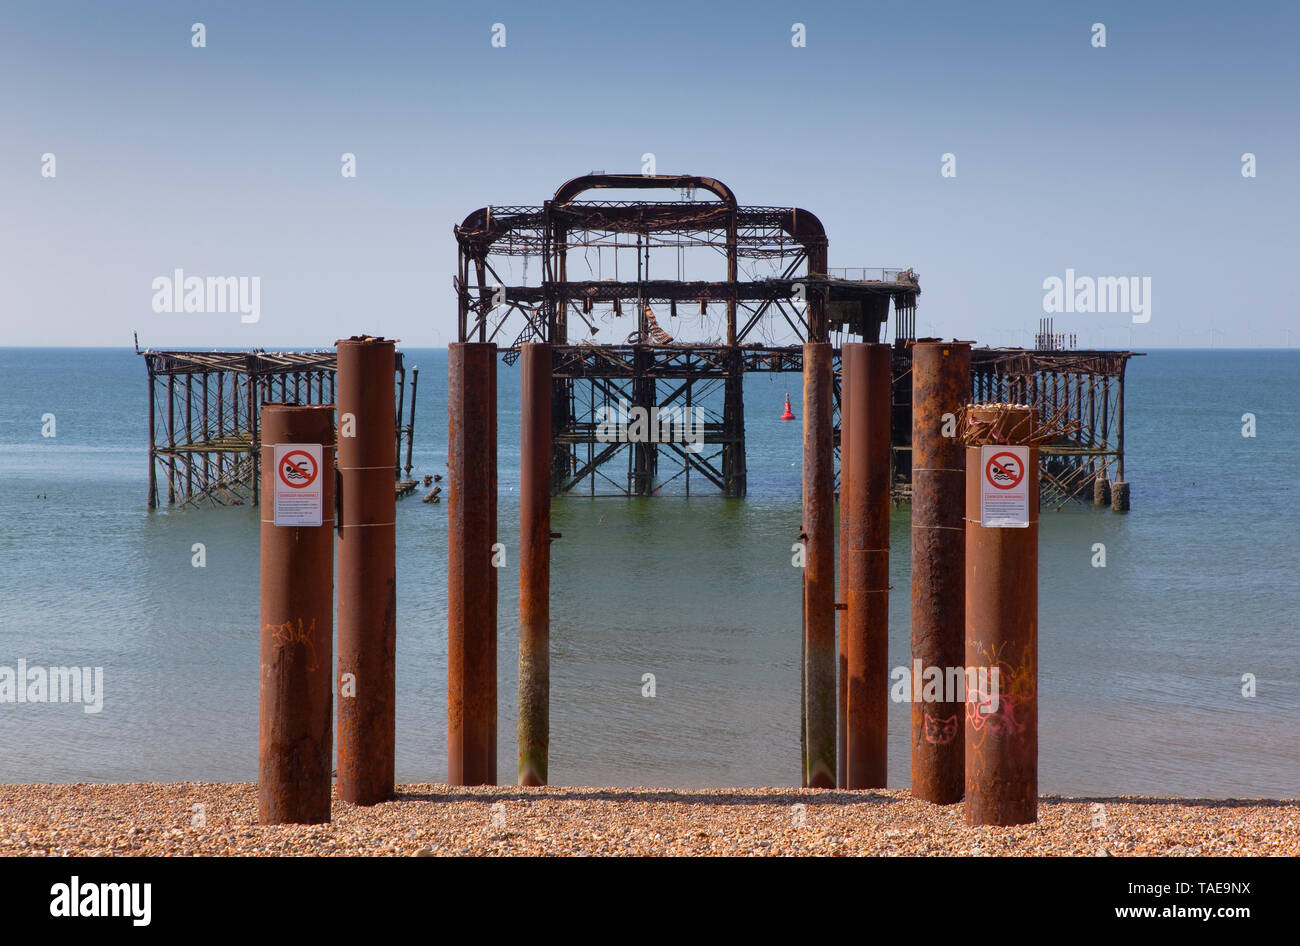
x,y
294,748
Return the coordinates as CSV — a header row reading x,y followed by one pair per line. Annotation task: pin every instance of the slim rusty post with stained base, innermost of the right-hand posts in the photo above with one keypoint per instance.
x,y
818,536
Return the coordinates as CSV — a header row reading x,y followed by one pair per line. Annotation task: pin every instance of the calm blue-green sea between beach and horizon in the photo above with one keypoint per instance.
x,y
1141,662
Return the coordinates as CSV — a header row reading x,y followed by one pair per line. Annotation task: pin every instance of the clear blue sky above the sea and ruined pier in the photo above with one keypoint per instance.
x,y
1124,160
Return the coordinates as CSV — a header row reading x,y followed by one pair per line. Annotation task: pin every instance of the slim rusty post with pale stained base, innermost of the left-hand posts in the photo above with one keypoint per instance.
x,y
535,566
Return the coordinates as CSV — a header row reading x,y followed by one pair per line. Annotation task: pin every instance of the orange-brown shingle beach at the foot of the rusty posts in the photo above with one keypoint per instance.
x,y
434,821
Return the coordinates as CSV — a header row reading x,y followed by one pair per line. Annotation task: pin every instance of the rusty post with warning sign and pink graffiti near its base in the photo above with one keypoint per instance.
x,y
1003,632
